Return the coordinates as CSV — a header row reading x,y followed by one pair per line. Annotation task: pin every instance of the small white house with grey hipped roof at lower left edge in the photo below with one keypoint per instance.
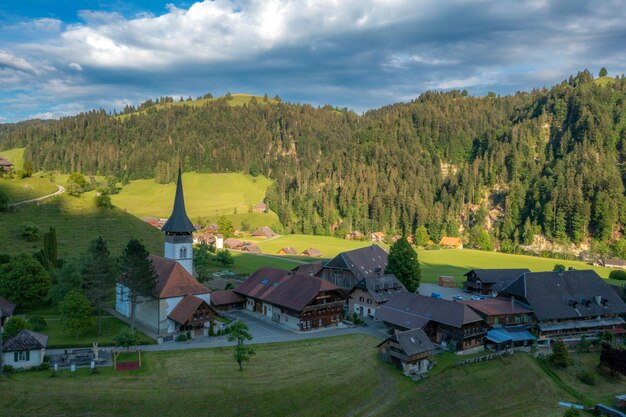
x,y
25,349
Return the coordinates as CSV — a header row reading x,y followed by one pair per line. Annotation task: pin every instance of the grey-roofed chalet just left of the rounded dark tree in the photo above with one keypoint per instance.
x,y
348,268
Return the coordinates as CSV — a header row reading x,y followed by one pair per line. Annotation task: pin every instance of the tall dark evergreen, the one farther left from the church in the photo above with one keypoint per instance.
x,y
98,276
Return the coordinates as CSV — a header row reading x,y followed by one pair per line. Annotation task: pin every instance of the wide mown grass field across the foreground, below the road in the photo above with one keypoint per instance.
x,y
338,376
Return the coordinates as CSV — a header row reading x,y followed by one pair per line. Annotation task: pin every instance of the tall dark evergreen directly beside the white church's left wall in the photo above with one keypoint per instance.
x,y
137,274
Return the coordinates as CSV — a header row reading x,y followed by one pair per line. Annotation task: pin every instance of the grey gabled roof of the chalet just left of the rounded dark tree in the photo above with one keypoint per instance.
x,y
363,262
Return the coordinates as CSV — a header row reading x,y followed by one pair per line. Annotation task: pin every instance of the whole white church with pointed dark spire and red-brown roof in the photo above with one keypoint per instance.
x,y
179,303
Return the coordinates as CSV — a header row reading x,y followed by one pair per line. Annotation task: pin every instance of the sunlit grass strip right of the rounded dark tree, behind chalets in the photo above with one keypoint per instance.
x,y
456,262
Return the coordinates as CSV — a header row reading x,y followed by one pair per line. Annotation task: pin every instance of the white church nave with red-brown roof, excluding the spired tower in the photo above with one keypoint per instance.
x,y
163,312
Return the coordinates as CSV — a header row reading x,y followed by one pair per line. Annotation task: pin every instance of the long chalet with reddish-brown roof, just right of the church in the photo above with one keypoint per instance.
x,y
298,301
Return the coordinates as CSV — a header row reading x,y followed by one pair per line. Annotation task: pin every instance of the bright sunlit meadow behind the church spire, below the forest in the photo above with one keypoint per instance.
x,y
207,196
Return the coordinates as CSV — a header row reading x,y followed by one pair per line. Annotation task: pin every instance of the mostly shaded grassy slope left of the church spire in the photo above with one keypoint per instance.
x,y
77,222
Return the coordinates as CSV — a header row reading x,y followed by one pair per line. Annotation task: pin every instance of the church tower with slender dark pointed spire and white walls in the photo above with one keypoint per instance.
x,y
178,231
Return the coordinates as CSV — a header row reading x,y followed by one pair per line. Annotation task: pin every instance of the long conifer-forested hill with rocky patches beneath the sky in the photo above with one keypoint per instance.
x,y
547,161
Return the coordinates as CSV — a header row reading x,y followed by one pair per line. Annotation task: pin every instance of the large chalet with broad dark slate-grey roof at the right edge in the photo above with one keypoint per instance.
x,y
567,304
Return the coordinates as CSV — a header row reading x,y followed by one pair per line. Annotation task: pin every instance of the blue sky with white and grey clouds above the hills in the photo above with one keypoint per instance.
x,y
58,58
